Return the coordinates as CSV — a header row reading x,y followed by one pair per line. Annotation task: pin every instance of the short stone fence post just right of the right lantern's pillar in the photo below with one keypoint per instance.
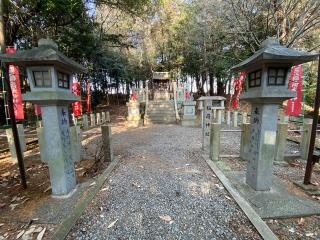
x,y
281,142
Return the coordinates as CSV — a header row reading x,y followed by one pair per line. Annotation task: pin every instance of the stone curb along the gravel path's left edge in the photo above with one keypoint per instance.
x,y
66,224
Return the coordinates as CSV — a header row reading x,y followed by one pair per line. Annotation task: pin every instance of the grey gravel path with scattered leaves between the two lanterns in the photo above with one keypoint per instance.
x,y
162,189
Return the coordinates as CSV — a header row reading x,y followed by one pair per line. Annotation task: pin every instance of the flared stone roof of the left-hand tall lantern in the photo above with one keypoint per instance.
x,y
46,53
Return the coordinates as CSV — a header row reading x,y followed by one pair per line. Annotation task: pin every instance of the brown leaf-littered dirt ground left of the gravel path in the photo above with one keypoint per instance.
x,y
18,204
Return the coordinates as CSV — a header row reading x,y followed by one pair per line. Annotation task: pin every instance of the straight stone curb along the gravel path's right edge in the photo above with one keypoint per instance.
x,y
262,228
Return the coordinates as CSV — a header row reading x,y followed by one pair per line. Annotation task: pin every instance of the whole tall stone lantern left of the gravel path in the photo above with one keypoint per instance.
x,y
50,76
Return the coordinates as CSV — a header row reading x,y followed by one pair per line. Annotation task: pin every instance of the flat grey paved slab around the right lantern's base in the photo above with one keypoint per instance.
x,y
276,203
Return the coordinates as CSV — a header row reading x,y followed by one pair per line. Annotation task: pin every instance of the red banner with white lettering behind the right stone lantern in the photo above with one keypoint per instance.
x,y
295,85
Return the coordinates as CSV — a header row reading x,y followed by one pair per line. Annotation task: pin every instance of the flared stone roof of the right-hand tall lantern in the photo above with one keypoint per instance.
x,y
272,52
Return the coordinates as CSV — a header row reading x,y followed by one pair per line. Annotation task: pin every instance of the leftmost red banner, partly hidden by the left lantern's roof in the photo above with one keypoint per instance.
x,y
14,79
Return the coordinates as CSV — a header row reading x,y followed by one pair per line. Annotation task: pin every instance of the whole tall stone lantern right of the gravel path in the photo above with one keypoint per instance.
x,y
267,79
